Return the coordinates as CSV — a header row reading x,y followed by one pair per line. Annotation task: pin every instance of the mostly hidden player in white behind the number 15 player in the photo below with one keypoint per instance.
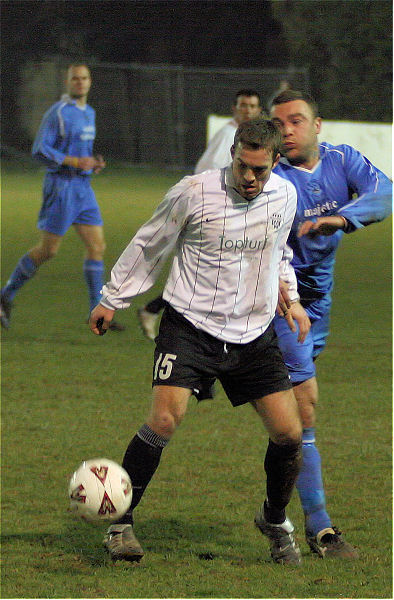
x,y
246,106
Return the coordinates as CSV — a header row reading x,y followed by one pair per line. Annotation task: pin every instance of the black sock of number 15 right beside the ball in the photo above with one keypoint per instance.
x,y
141,460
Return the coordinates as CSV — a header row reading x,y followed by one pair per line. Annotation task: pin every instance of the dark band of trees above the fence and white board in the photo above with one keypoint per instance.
x,y
347,44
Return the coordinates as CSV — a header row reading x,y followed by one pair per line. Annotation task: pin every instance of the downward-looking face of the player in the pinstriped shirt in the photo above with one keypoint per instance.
x,y
251,170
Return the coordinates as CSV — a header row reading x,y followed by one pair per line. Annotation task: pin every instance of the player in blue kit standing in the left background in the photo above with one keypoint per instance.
x,y
64,143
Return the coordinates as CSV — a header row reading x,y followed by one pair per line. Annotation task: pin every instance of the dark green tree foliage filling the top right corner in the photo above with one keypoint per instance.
x,y
347,46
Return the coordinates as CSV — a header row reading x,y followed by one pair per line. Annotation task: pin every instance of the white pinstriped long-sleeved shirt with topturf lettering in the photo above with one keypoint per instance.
x,y
229,253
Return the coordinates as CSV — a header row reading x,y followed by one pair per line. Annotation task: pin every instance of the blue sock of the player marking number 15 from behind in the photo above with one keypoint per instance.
x,y
310,486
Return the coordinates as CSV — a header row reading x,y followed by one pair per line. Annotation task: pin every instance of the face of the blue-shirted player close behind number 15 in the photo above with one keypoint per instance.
x,y
299,129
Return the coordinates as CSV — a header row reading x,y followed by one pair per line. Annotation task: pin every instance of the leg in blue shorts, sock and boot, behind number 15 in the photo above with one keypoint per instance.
x,y
299,359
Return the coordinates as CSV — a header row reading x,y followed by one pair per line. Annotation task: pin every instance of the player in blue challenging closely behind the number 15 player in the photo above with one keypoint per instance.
x,y
338,191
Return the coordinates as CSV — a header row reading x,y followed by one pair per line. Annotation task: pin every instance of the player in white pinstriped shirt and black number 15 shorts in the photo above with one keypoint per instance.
x,y
228,228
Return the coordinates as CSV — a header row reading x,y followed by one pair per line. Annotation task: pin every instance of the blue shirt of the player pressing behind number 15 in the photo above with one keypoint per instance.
x,y
345,183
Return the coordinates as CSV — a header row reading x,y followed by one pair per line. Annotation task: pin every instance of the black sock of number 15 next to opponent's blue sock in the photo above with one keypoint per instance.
x,y
282,465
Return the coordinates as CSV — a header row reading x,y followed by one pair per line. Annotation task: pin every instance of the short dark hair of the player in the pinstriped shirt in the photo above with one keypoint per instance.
x,y
259,133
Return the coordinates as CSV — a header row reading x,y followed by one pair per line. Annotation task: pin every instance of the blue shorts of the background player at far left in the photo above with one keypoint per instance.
x,y
67,200
